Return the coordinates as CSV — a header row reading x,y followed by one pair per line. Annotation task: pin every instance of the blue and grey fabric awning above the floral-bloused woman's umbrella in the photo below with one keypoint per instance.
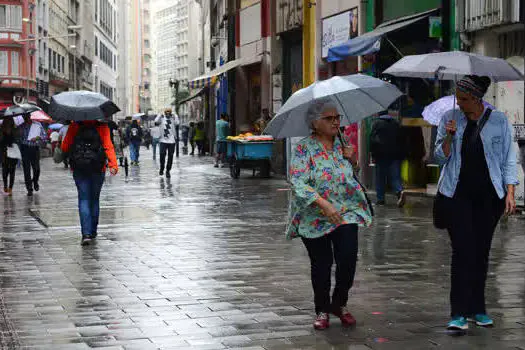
x,y
370,42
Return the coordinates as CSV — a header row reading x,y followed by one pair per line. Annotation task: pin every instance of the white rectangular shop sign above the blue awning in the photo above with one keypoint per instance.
x,y
339,29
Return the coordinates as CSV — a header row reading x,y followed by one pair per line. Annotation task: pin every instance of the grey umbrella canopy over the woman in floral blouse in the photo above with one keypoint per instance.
x,y
358,96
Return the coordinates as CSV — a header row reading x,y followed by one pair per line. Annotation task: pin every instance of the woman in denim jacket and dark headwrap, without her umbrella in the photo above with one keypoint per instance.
x,y
478,183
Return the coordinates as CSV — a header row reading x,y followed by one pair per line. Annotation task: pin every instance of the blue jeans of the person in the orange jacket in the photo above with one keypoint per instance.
x,y
89,187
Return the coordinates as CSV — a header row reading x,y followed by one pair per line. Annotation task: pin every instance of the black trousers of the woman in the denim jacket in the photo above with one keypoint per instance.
x,y
472,228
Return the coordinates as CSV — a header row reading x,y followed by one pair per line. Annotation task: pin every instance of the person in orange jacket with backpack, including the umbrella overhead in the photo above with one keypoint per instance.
x,y
88,142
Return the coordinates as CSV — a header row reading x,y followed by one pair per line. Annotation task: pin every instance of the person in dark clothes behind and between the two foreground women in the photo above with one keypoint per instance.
x,y
387,151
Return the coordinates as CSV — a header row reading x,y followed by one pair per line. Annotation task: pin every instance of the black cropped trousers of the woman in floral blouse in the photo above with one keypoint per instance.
x,y
341,245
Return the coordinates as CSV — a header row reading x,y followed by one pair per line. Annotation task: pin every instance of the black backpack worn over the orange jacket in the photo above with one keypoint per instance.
x,y
87,154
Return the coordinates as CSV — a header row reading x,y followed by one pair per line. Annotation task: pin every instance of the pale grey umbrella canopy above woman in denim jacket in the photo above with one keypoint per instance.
x,y
453,64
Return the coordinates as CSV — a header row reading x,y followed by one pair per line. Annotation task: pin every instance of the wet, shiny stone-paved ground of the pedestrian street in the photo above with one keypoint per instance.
x,y
200,262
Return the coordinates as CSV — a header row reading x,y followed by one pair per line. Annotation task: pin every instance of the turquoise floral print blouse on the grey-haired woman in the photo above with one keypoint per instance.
x,y
316,172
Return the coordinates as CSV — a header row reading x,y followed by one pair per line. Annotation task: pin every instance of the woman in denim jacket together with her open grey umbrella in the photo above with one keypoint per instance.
x,y
477,184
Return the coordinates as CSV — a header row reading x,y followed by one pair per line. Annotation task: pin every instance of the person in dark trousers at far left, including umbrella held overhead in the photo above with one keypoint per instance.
x,y
32,136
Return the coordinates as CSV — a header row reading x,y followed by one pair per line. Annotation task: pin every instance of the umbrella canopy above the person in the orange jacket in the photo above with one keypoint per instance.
x,y
81,105
